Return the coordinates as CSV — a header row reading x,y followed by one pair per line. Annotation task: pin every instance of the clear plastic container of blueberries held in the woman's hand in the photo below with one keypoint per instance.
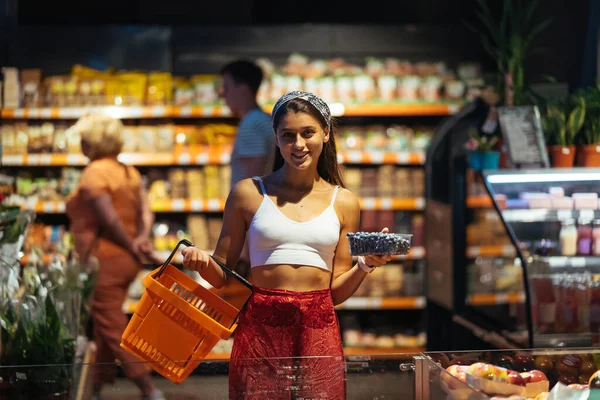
x,y
360,246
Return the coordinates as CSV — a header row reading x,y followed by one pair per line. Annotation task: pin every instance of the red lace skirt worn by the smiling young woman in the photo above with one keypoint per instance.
x,y
287,345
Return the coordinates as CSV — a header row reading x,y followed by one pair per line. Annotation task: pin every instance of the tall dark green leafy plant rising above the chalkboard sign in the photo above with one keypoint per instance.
x,y
508,41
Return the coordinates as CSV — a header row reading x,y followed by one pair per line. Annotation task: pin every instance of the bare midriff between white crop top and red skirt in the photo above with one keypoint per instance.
x,y
291,277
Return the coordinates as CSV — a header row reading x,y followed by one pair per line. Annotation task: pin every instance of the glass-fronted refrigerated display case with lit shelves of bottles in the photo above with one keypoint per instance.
x,y
552,217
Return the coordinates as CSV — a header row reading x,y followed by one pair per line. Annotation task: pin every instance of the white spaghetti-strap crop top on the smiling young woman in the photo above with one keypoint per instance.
x,y
274,238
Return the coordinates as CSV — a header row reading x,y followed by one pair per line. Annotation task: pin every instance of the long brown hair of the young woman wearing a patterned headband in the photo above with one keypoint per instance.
x,y
327,166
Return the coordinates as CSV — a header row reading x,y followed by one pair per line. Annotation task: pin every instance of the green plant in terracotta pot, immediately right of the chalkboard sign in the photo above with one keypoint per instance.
x,y
561,124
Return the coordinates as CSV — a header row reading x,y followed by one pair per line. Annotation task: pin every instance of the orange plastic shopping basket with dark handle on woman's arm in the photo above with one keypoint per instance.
x,y
178,321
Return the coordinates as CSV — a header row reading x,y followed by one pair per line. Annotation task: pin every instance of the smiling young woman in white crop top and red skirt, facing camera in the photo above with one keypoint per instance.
x,y
296,220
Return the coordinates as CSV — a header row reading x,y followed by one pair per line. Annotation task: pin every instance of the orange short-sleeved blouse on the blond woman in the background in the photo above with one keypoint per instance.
x,y
122,183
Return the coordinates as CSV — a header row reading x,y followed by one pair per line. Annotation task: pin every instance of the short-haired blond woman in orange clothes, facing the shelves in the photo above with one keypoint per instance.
x,y
111,221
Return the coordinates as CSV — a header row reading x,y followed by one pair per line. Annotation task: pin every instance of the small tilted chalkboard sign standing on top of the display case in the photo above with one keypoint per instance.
x,y
522,131
